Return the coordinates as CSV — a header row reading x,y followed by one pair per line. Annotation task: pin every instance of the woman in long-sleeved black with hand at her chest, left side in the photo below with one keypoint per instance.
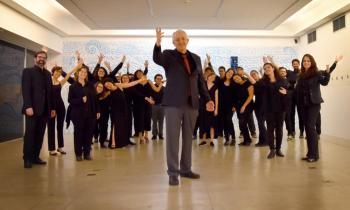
x,y
84,112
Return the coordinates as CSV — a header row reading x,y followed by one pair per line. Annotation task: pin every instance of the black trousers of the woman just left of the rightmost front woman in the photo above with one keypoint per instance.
x,y
274,123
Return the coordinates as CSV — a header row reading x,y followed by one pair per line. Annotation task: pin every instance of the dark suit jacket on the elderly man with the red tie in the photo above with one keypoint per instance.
x,y
178,81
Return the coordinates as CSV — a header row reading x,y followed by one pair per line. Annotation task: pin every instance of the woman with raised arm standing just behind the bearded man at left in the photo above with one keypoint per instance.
x,y
57,85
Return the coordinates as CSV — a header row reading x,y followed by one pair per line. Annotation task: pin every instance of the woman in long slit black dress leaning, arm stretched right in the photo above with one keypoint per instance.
x,y
119,135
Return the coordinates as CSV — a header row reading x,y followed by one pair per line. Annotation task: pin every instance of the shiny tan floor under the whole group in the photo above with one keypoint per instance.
x,y
135,178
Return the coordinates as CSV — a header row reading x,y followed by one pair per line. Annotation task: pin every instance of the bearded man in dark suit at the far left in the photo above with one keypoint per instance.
x,y
37,107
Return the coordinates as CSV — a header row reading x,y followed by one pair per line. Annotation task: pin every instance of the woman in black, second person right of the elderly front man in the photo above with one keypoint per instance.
x,y
226,111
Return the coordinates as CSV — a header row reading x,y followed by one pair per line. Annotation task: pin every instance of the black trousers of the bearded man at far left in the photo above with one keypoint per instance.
x,y
33,136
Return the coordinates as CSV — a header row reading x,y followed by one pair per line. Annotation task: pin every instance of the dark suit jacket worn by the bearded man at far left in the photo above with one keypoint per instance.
x,y
37,91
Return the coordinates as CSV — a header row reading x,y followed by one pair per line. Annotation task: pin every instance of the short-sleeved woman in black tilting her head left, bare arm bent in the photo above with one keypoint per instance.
x,y
243,104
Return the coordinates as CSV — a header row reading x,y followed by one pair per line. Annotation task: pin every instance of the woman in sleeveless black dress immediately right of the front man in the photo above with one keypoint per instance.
x,y
209,122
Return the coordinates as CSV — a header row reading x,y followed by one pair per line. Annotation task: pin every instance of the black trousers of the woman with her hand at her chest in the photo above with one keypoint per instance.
x,y
83,132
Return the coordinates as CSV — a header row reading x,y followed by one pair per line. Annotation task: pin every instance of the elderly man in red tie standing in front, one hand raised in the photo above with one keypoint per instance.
x,y
185,84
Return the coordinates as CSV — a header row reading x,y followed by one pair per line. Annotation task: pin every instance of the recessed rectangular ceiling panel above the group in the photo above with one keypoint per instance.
x,y
187,14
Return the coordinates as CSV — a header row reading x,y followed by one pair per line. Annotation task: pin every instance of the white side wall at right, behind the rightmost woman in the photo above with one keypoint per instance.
x,y
335,111
